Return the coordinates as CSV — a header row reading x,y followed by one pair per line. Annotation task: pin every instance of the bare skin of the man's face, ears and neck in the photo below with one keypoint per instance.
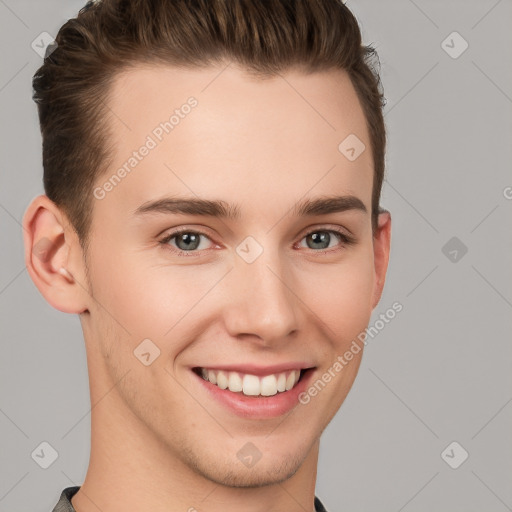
x,y
158,441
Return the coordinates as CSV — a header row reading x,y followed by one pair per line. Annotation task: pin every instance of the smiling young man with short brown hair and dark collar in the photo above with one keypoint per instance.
x,y
212,173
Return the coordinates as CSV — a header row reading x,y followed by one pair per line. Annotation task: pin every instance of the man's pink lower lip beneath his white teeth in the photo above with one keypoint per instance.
x,y
254,407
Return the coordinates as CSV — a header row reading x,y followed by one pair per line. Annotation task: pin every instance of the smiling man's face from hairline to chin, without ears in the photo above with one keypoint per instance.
x,y
266,292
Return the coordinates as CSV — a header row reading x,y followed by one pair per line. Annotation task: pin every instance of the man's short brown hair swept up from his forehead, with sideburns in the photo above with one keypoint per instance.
x,y
264,36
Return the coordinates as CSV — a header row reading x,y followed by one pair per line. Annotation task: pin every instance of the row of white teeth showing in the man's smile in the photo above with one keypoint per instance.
x,y
252,385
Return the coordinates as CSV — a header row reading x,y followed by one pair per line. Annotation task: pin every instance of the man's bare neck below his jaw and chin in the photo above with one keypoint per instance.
x,y
132,469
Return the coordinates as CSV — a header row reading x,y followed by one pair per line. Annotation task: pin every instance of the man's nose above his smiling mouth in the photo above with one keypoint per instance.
x,y
261,302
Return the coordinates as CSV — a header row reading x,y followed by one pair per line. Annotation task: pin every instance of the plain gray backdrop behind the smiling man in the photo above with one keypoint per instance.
x,y
441,371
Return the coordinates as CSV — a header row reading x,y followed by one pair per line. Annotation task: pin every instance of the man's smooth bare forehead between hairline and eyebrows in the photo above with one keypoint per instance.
x,y
218,131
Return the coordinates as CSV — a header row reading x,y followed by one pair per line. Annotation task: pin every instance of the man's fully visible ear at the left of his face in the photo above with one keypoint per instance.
x,y
53,257
